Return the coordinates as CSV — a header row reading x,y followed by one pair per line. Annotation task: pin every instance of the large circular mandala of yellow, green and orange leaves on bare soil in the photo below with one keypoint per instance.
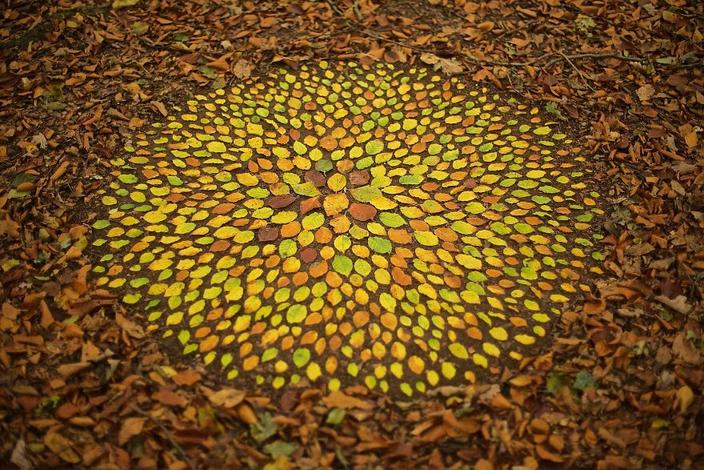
x,y
348,224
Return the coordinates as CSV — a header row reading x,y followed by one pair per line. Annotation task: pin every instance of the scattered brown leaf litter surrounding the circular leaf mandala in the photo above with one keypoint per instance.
x,y
620,385
